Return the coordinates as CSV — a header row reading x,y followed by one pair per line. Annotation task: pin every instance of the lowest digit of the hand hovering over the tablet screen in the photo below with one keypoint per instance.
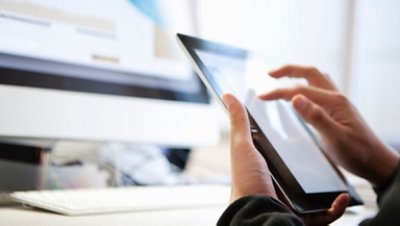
x,y
313,114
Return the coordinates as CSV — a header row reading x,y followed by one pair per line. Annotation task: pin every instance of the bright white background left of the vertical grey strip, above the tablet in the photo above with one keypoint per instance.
x,y
309,32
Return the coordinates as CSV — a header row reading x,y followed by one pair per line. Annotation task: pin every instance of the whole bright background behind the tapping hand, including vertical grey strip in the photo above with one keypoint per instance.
x,y
355,42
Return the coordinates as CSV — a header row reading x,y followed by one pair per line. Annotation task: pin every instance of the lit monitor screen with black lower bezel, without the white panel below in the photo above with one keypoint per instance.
x,y
107,47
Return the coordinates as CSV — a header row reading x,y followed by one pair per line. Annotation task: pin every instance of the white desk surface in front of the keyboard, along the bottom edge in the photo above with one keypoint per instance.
x,y
22,216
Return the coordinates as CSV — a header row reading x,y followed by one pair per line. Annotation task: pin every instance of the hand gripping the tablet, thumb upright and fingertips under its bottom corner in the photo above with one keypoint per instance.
x,y
250,173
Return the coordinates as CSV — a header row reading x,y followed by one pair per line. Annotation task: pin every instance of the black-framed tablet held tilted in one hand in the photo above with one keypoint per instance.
x,y
303,175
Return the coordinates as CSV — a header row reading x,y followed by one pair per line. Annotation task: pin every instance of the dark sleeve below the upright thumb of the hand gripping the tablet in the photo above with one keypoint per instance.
x,y
258,210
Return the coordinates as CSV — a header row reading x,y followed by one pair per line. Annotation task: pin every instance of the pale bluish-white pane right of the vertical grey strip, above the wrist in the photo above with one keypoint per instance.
x,y
376,74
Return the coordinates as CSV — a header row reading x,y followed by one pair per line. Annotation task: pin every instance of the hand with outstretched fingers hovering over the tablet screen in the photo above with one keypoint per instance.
x,y
348,139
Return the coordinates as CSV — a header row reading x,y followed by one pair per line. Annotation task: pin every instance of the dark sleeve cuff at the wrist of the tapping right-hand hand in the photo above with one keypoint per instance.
x,y
389,204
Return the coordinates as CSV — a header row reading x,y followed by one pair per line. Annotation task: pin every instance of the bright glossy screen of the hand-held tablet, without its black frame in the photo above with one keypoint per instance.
x,y
245,76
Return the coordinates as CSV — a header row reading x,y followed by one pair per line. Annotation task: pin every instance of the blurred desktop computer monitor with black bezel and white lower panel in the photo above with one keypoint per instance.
x,y
98,71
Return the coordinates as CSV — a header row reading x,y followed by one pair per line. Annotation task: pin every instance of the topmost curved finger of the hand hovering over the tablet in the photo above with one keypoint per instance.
x,y
313,76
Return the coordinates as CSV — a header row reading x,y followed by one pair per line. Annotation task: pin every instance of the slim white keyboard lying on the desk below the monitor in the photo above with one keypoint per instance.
x,y
123,199
